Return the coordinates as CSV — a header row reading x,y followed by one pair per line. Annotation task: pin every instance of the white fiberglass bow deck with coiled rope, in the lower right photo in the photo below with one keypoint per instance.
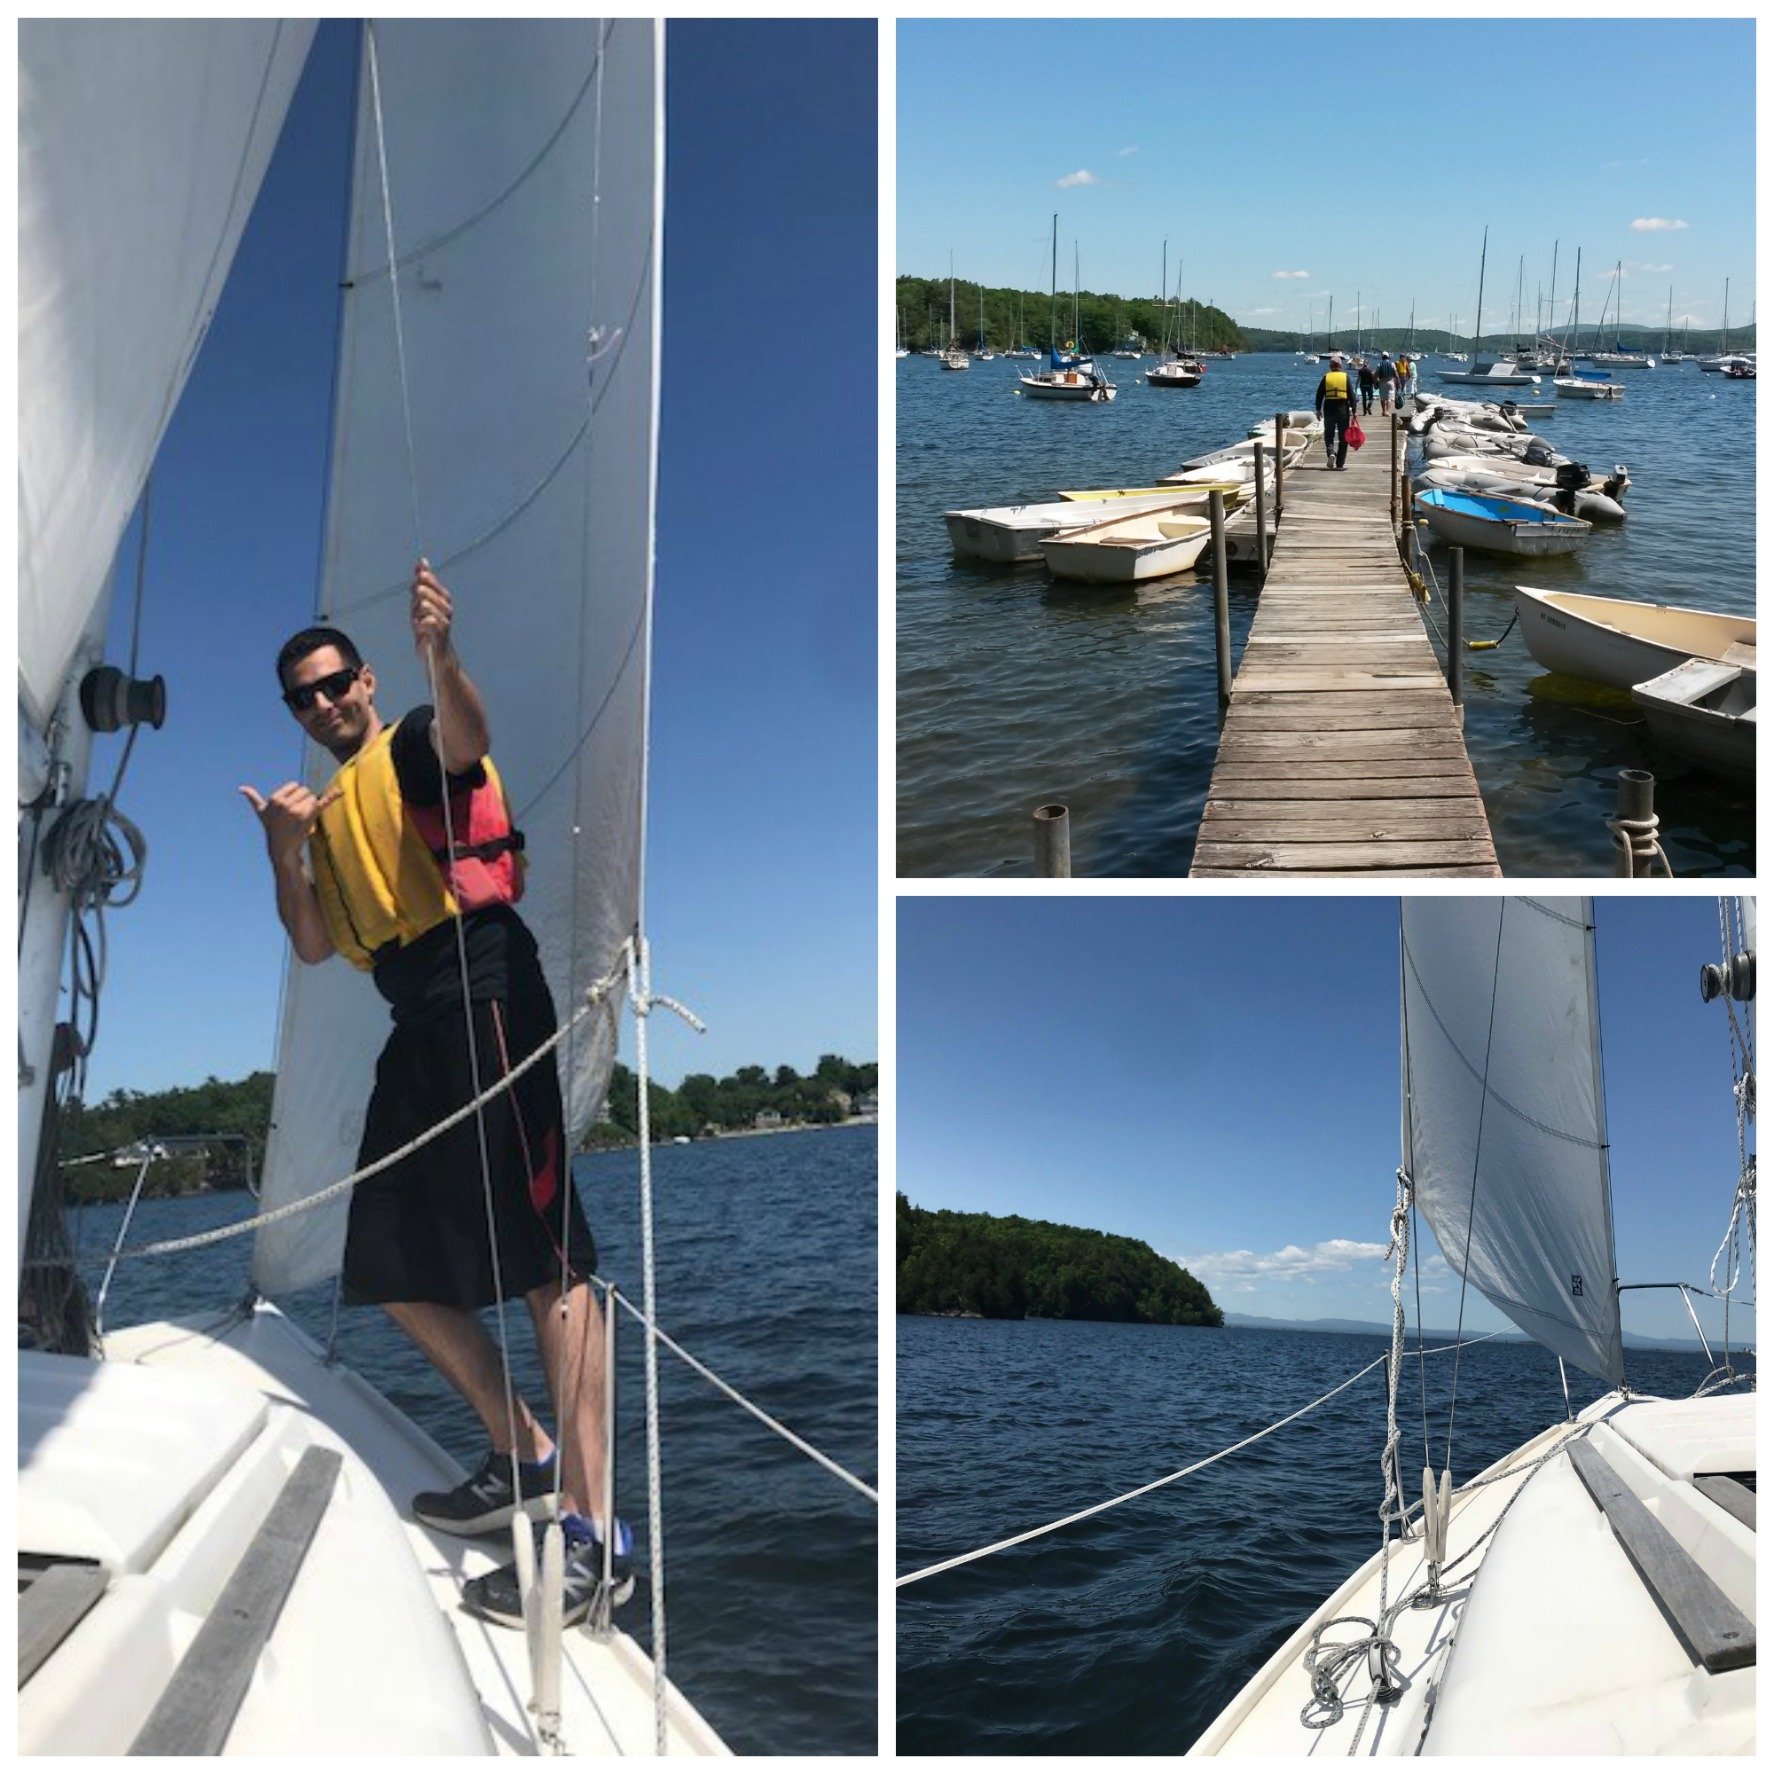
x,y
1555,1645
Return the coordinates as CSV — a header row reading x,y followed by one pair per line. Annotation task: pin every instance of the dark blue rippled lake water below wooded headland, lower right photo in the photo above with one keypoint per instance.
x,y
1129,1633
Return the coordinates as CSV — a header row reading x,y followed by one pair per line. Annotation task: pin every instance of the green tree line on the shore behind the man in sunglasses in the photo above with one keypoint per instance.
x,y
136,1120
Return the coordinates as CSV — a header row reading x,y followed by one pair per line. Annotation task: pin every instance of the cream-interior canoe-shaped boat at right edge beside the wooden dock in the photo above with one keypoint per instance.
x,y
1622,643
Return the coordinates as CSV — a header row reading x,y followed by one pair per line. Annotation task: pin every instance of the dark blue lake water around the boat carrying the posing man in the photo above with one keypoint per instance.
x,y
767,1273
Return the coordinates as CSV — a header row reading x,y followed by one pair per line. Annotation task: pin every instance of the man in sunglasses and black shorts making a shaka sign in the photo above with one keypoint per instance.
x,y
370,870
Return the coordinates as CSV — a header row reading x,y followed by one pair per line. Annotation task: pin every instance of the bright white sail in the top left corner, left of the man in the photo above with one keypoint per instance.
x,y
141,148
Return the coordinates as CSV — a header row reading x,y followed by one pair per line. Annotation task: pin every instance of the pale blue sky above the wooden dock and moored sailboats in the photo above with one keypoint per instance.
x,y
1282,148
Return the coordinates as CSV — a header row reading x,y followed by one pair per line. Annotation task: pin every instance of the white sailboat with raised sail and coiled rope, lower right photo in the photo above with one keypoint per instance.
x,y
1594,1592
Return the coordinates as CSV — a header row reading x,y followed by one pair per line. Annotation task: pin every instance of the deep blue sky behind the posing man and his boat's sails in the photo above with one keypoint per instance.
x,y
762,870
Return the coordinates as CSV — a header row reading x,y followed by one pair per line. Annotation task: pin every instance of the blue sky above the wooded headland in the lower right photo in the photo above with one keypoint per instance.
x,y
1220,1079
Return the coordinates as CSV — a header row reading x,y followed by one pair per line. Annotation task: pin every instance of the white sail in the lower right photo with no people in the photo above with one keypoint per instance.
x,y
1503,1122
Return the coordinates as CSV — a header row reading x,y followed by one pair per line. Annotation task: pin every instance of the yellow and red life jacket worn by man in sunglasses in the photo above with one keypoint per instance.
x,y
382,868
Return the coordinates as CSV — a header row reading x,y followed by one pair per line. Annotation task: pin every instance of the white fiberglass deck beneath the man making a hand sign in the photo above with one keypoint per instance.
x,y
161,1464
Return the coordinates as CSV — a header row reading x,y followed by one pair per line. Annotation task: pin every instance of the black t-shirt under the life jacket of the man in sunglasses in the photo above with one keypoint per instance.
x,y
423,978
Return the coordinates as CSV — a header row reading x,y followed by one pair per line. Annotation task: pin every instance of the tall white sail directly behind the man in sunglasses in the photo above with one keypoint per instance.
x,y
524,169
